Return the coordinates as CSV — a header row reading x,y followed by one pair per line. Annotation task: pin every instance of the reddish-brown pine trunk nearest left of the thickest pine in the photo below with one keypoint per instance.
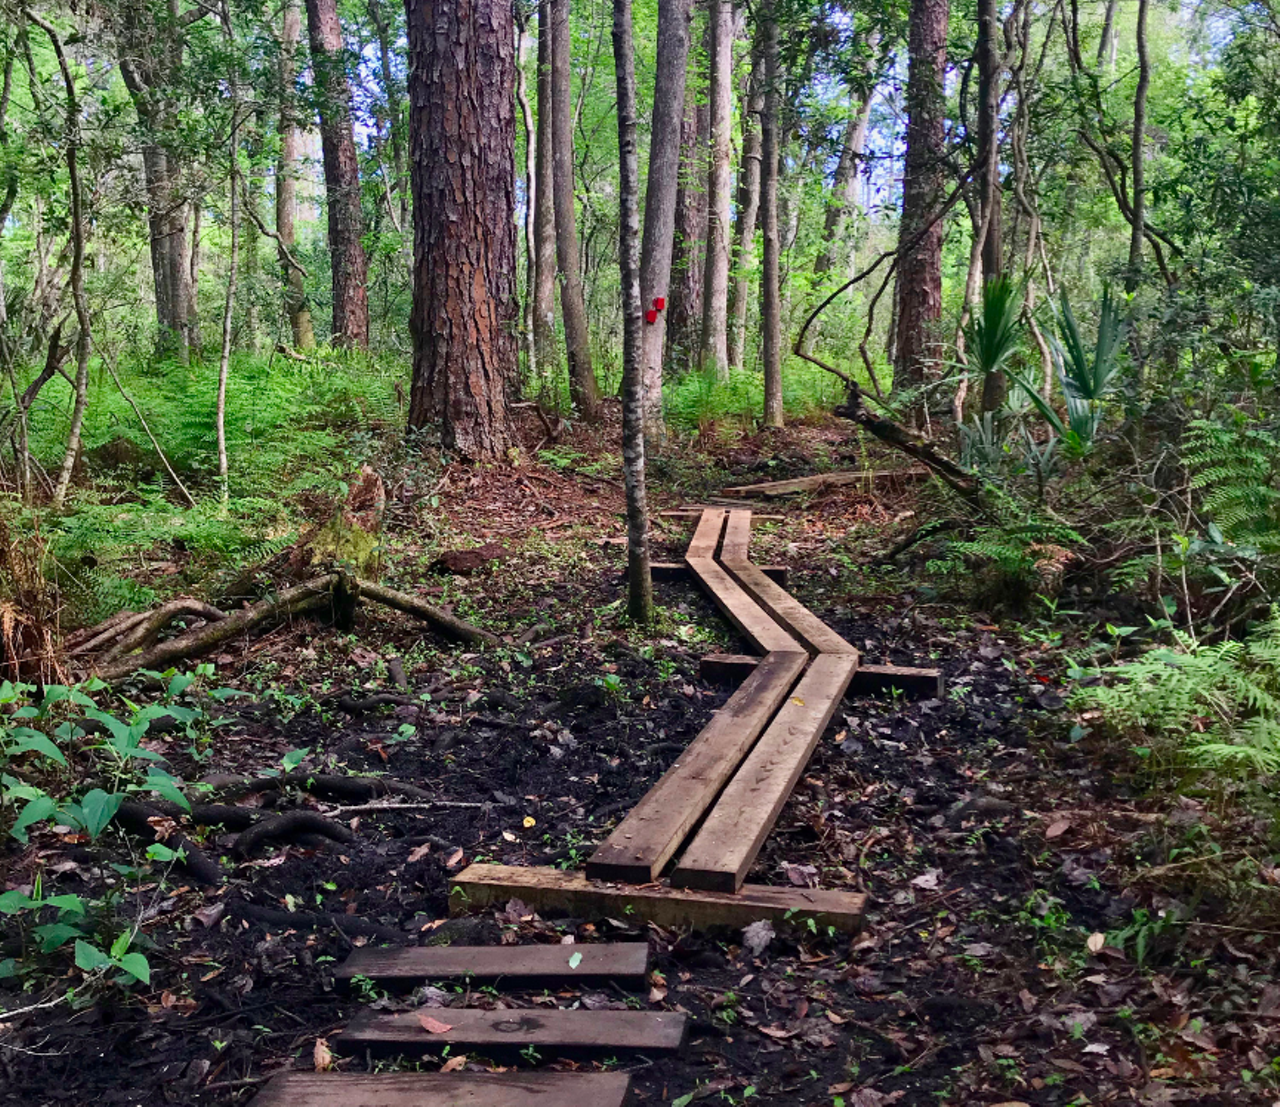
x,y
341,177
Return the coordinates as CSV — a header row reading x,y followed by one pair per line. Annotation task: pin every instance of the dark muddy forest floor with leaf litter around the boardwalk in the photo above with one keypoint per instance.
x,y
994,845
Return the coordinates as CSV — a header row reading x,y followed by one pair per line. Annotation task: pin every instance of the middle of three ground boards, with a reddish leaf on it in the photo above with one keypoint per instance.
x,y
546,1028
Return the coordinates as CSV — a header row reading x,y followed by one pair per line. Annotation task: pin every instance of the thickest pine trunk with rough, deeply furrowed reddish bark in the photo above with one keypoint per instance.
x,y
463,134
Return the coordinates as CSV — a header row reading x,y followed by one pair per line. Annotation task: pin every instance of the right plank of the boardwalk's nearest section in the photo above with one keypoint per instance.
x,y
728,844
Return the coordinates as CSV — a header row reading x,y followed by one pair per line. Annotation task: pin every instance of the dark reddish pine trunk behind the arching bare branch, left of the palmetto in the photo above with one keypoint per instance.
x,y
920,266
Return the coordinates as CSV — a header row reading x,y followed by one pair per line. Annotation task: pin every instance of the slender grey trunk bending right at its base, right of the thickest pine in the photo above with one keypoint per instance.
x,y
583,387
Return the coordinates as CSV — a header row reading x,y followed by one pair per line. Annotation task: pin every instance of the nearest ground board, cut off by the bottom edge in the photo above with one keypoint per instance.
x,y
446,1090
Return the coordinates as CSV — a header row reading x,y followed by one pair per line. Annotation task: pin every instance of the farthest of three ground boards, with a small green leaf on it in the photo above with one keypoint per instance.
x,y
414,966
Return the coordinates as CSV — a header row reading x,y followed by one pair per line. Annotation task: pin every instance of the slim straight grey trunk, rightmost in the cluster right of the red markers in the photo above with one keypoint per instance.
x,y
771,292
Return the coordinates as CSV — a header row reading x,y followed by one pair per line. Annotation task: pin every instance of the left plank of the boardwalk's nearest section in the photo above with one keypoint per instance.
x,y
648,838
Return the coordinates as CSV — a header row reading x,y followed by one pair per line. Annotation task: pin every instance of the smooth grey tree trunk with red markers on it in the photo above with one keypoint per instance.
x,y
660,203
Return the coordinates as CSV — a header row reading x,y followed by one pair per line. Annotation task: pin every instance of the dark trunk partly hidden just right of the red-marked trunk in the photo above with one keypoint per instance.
x,y
685,309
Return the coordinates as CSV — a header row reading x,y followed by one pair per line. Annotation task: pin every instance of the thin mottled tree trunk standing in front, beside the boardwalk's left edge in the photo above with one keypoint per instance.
x,y
639,580
